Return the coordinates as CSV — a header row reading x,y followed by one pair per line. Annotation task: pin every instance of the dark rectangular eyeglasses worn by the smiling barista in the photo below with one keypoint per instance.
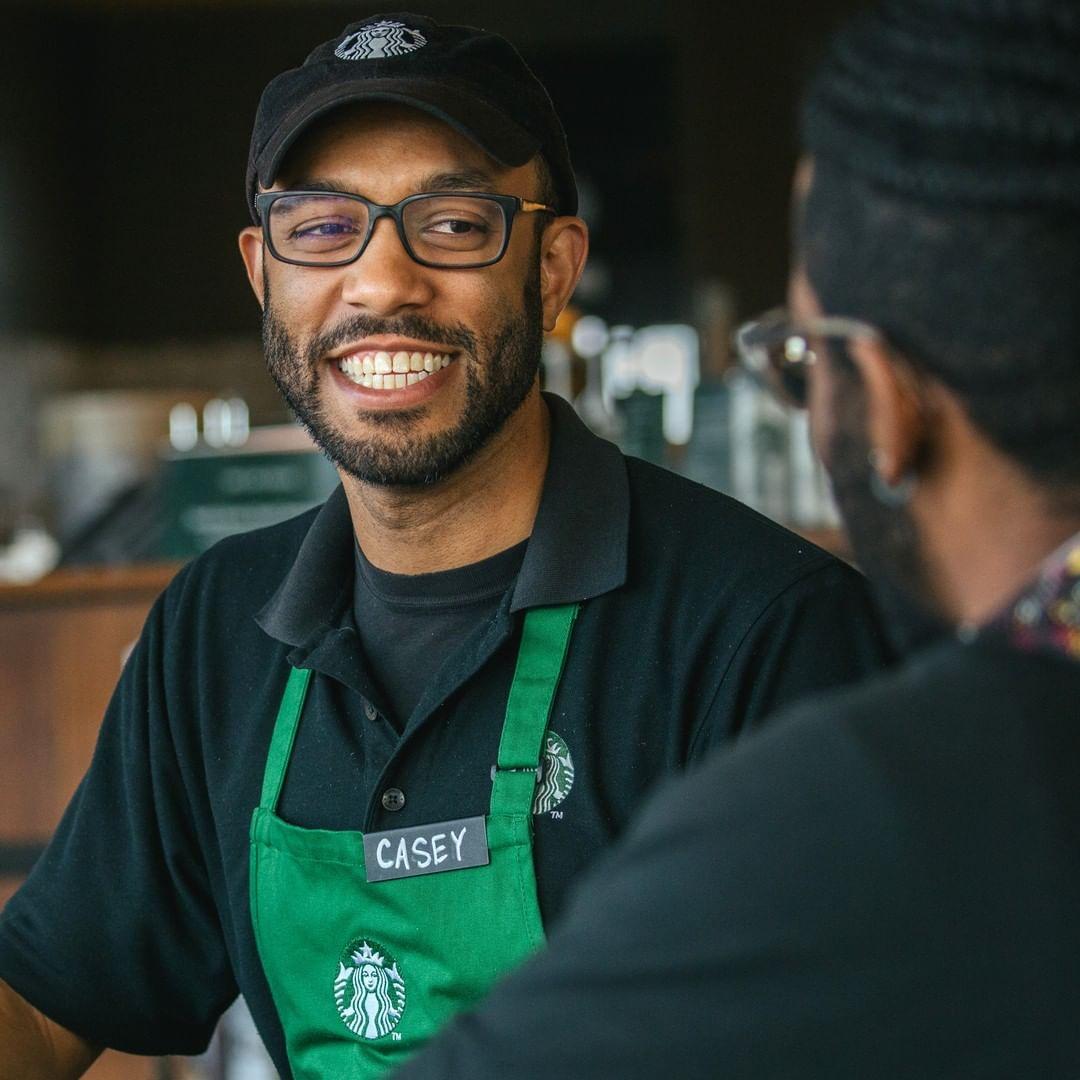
x,y
449,229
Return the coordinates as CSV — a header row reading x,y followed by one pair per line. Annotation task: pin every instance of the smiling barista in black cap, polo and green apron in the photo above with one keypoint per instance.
x,y
357,760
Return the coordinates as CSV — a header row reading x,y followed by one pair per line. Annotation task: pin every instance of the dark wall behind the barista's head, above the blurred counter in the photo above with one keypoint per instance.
x,y
124,152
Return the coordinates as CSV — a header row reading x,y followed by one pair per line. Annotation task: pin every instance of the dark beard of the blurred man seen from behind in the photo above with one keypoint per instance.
x,y
884,539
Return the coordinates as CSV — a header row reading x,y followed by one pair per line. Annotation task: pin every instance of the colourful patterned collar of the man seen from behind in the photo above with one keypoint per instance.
x,y
1047,615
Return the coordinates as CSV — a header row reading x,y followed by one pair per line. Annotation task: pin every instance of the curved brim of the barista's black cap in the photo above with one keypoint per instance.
x,y
491,129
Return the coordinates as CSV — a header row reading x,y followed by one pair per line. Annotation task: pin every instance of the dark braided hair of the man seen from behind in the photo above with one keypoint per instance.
x,y
946,207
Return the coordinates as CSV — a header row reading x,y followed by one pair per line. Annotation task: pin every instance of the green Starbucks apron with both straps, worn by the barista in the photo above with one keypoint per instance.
x,y
364,971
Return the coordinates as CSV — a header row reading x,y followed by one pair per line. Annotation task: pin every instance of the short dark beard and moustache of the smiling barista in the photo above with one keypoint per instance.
x,y
501,369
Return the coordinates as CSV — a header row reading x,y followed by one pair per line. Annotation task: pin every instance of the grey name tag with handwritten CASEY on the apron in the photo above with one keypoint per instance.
x,y
426,849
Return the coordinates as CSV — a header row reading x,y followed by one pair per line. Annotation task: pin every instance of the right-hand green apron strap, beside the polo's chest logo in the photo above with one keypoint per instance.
x,y
546,640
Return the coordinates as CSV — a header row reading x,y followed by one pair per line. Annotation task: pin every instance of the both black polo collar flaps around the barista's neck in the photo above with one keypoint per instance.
x,y
578,549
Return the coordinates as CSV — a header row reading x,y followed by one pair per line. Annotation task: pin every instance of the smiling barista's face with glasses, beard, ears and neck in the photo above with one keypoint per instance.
x,y
402,375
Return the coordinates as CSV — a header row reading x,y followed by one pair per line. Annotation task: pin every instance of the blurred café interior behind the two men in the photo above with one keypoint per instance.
x,y
138,424
